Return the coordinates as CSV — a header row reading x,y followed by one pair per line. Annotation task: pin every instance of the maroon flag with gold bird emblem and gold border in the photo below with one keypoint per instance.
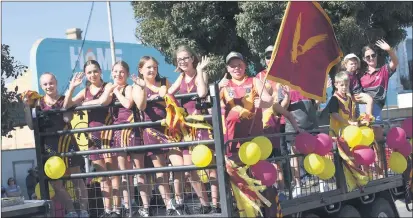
x,y
305,50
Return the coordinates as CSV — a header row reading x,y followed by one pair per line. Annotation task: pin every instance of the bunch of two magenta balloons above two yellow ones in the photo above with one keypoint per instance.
x,y
316,148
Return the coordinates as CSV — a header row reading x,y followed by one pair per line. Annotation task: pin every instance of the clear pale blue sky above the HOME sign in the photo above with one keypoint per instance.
x,y
23,23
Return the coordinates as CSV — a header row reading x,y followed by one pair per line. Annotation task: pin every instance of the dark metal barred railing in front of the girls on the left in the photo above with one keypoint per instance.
x,y
39,116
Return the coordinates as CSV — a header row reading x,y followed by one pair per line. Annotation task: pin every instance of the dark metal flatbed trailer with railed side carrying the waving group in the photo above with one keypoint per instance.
x,y
376,199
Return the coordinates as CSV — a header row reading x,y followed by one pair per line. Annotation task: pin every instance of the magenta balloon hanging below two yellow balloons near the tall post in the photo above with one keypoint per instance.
x,y
265,172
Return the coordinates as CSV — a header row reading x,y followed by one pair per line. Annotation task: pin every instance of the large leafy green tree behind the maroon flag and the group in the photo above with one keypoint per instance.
x,y
216,28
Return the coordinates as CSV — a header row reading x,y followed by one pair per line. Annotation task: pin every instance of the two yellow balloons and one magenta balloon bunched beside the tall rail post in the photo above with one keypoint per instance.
x,y
254,154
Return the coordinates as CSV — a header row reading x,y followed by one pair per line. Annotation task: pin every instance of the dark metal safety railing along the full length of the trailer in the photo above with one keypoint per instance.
x,y
220,147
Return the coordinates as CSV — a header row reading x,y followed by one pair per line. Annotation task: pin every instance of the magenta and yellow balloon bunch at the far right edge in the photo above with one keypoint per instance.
x,y
397,140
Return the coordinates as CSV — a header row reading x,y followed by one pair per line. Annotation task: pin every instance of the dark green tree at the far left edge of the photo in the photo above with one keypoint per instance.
x,y
10,68
